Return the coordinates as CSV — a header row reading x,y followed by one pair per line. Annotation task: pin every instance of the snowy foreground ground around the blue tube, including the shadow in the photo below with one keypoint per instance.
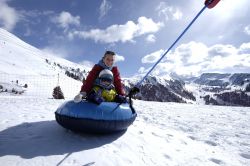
x,y
163,134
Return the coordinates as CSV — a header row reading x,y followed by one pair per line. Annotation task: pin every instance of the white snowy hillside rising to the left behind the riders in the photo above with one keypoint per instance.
x,y
27,64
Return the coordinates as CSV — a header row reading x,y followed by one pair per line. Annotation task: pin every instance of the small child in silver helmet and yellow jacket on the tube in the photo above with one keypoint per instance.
x,y
104,89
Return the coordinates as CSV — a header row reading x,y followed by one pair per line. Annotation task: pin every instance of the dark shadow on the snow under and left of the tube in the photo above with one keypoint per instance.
x,y
45,138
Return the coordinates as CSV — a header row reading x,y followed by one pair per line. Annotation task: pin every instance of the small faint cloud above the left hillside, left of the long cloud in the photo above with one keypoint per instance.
x,y
65,19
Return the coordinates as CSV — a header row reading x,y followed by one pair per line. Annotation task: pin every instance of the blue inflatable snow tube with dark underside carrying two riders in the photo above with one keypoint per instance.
x,y
88,117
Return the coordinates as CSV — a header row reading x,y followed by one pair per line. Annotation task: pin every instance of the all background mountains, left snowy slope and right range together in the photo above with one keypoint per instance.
x,y
22,64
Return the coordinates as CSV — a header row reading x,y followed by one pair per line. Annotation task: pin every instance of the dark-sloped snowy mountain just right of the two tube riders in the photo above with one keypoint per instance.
x,y
163,89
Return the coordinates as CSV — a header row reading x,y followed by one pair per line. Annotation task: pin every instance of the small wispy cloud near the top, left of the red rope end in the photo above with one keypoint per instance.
x,y
168,12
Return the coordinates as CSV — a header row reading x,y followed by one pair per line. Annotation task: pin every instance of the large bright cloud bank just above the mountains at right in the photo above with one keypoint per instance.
x,y
196,58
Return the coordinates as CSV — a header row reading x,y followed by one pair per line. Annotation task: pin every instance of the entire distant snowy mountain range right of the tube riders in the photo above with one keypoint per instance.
x,y
209,88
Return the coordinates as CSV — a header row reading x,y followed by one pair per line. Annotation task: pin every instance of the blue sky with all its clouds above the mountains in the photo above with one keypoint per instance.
x,y
139,31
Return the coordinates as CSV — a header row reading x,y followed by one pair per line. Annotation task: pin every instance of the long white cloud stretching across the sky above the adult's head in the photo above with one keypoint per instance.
x,y
124,33
